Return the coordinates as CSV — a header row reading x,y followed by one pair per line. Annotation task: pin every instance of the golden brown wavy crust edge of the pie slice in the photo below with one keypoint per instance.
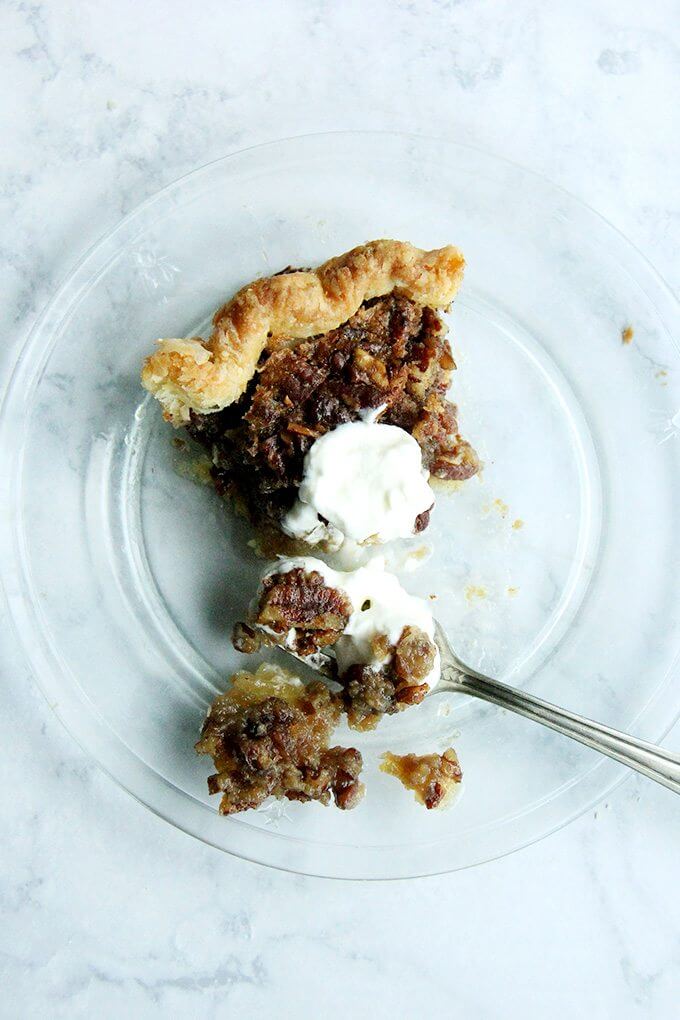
x,y
207,376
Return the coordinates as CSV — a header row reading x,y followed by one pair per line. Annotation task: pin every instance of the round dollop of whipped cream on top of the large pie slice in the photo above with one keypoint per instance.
x,y
367,481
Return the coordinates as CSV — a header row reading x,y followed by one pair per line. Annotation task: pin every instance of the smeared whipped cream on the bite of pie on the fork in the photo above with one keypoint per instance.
x,y
380,606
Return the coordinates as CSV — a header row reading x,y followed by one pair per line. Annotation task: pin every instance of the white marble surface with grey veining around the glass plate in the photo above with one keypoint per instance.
x,y
107,909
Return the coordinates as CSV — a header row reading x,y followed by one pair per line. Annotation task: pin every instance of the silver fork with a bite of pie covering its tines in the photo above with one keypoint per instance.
x,y
457,678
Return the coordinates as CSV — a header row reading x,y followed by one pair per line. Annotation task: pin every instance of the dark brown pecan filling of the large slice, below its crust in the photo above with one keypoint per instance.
x,y
392,353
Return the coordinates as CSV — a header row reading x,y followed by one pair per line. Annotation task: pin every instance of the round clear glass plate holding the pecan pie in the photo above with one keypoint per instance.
x,y
557,570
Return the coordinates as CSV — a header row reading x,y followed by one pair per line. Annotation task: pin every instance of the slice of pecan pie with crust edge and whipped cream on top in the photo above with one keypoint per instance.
x,y
297,355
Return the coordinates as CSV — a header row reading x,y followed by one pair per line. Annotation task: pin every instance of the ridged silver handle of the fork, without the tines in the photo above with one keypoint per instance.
x,y
646,758
